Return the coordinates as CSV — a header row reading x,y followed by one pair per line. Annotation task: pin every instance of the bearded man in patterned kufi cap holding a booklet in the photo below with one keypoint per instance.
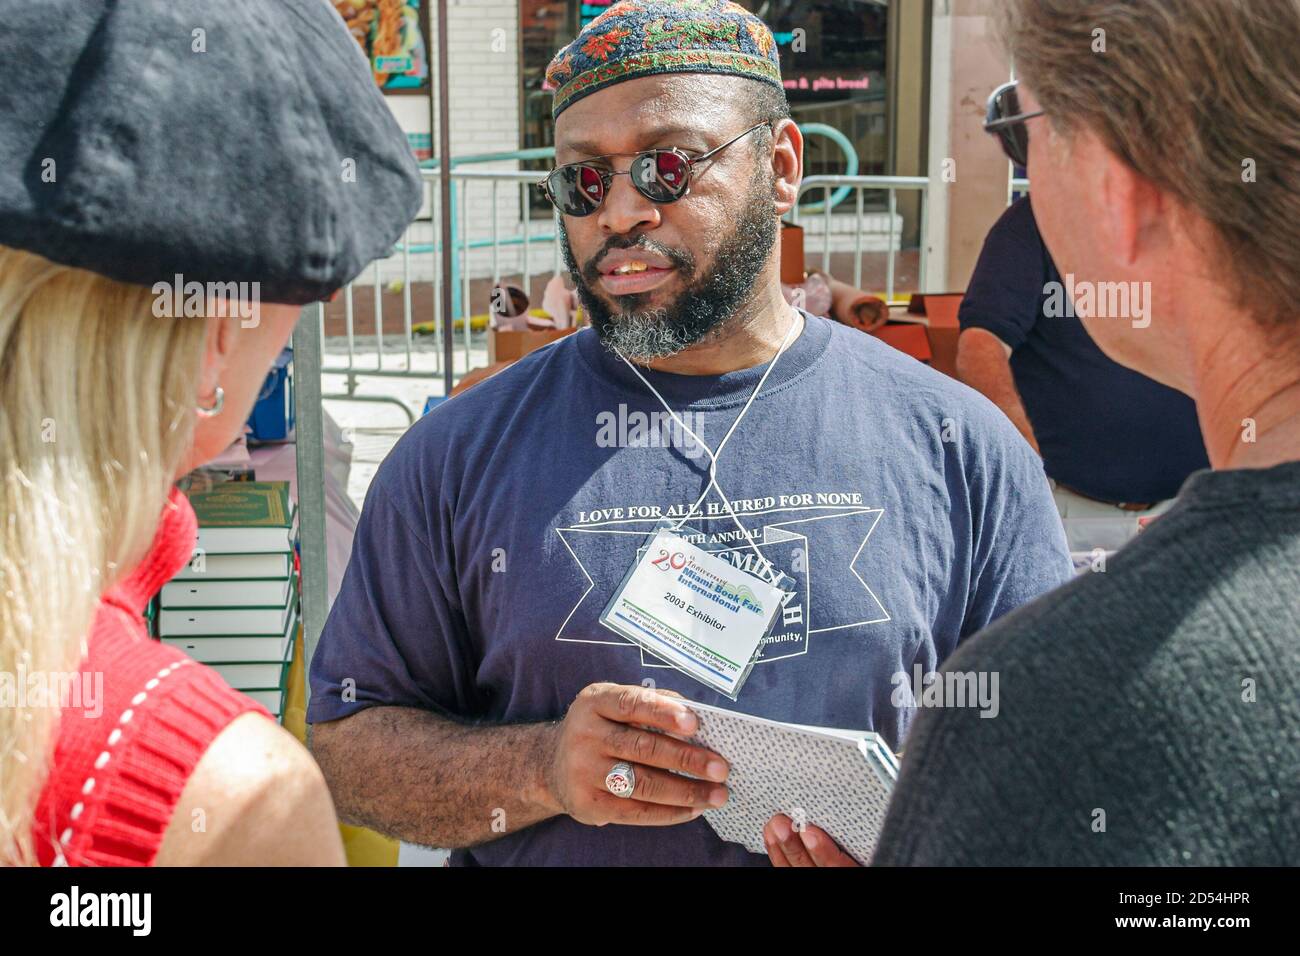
x,y
466,693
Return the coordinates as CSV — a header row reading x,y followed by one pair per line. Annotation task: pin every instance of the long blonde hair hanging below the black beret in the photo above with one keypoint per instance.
x,y
97,416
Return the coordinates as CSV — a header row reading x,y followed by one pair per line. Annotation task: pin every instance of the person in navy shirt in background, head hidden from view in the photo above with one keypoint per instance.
x,y
1116,444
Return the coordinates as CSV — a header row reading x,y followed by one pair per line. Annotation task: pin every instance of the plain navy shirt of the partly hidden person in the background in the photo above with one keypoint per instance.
x,y
1103,430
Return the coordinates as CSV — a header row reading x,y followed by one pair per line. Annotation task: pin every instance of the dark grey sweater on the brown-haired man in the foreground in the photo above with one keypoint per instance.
x,y
1130,693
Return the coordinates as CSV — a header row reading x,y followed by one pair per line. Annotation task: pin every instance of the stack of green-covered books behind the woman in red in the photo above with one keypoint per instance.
x,y
235,607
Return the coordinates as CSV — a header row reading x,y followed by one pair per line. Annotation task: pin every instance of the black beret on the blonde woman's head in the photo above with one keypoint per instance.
x,y
229,141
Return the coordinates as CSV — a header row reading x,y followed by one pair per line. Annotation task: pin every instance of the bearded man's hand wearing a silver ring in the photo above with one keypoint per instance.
x,y
608,724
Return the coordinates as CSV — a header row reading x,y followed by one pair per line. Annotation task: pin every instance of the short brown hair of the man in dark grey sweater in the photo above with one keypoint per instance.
x,y
1199,97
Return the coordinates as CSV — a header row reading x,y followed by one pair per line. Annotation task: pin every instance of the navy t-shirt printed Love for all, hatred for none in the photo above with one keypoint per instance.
x,y
904,505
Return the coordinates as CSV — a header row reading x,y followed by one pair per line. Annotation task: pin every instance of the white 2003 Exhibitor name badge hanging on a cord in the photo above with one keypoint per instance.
x,y
695,611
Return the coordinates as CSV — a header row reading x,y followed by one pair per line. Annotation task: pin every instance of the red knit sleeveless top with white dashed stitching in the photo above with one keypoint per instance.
x,y
123,754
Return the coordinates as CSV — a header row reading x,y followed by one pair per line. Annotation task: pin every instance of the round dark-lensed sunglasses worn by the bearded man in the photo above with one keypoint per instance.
x,y
661,176
